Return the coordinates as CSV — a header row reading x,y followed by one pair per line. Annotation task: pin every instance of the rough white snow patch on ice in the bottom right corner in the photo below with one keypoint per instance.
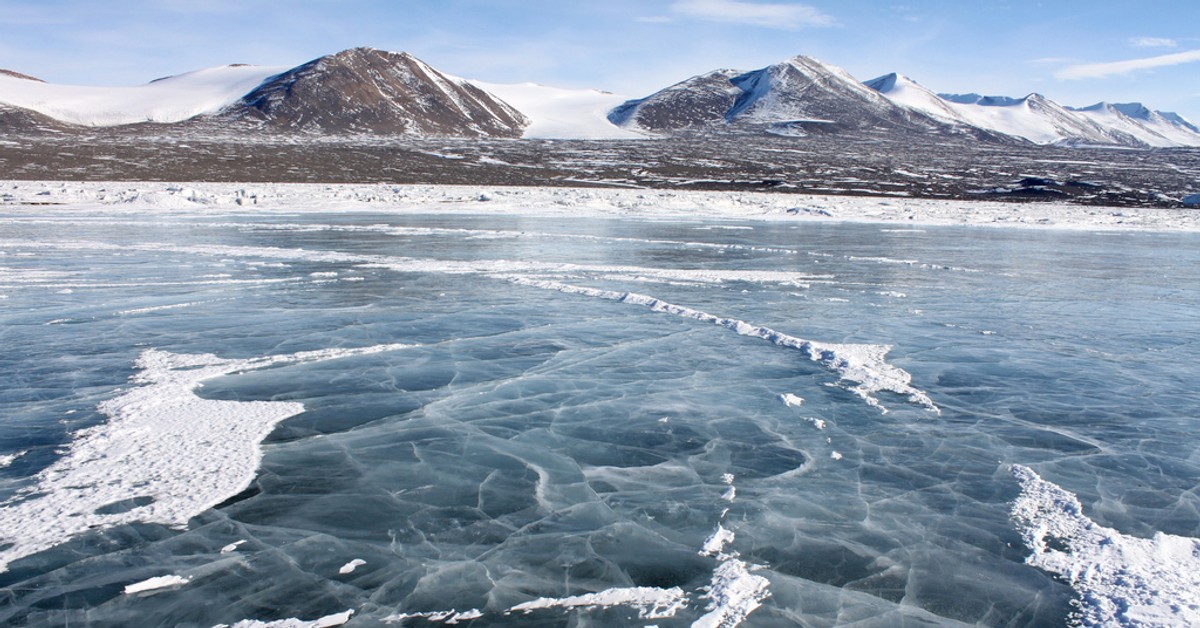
x,y
1121,581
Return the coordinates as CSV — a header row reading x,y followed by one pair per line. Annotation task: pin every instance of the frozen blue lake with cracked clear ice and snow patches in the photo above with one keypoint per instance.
x,y
423,420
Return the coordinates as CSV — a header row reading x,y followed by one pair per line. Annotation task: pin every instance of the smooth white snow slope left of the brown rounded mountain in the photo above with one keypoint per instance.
x,y
167,100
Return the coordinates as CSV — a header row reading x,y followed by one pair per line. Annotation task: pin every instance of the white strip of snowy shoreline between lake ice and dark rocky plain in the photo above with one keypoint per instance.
x,y
214,199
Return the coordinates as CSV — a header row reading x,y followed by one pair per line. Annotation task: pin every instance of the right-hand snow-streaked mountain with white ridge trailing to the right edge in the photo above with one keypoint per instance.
x,y
803,95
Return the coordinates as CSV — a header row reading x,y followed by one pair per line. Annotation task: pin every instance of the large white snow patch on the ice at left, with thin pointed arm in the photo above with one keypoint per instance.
x,y
164,457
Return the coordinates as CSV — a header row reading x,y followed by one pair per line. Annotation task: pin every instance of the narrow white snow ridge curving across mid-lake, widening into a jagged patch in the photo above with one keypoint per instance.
x,y
863,364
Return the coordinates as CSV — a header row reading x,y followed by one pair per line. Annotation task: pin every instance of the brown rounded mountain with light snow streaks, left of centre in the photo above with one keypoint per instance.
x,y
365,91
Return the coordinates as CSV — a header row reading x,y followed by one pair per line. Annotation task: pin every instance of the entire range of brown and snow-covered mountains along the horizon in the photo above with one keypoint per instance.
x,y
365,92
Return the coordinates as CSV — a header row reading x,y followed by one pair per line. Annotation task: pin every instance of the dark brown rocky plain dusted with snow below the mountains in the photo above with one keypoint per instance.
x,y
832,165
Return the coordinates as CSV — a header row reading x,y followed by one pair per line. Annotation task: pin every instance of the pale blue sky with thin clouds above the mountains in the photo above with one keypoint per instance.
x,y
1075,52
